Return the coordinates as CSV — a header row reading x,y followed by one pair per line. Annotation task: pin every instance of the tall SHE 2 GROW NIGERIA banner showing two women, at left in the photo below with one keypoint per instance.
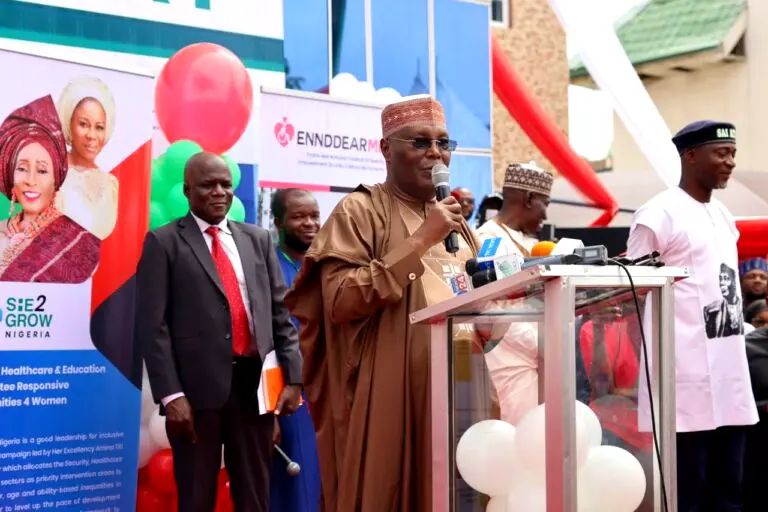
x,y
75,157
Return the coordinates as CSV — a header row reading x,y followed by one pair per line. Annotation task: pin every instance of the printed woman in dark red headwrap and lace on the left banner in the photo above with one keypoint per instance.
x,y
39,244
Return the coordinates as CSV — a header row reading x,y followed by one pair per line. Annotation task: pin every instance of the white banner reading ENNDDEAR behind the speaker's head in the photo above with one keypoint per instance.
x,y
318,142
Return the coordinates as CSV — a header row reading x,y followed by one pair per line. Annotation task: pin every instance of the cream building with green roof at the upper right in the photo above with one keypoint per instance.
x,y
698,59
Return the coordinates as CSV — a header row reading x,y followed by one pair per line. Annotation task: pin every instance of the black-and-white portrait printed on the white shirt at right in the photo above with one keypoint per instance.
x,y
724,317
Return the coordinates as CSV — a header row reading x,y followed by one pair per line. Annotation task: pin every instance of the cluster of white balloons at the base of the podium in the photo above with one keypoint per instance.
x,y
509,465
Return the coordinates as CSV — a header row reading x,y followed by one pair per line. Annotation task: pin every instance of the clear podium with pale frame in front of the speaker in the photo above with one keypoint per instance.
x,y
470,382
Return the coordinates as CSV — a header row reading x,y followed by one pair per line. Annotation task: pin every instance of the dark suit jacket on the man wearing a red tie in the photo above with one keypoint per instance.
x,y
183,322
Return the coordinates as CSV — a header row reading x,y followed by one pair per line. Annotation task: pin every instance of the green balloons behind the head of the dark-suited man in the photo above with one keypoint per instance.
x,y
167,192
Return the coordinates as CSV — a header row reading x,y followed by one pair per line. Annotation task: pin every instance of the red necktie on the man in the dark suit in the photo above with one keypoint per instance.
x,y
241,332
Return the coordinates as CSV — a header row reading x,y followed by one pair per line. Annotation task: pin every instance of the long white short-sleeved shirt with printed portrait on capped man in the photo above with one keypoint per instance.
x,y
712,381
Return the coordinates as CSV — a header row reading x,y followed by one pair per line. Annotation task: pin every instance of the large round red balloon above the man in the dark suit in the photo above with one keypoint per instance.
x,y
204,94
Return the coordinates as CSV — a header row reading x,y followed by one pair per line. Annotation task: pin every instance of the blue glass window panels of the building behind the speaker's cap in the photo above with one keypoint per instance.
x,y
440,47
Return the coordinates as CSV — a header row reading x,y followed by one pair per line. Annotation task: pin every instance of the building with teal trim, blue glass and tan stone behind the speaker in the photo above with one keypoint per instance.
x,y
440,47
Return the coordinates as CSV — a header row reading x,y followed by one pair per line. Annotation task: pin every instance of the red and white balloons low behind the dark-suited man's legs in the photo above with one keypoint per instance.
x,y
156,484
